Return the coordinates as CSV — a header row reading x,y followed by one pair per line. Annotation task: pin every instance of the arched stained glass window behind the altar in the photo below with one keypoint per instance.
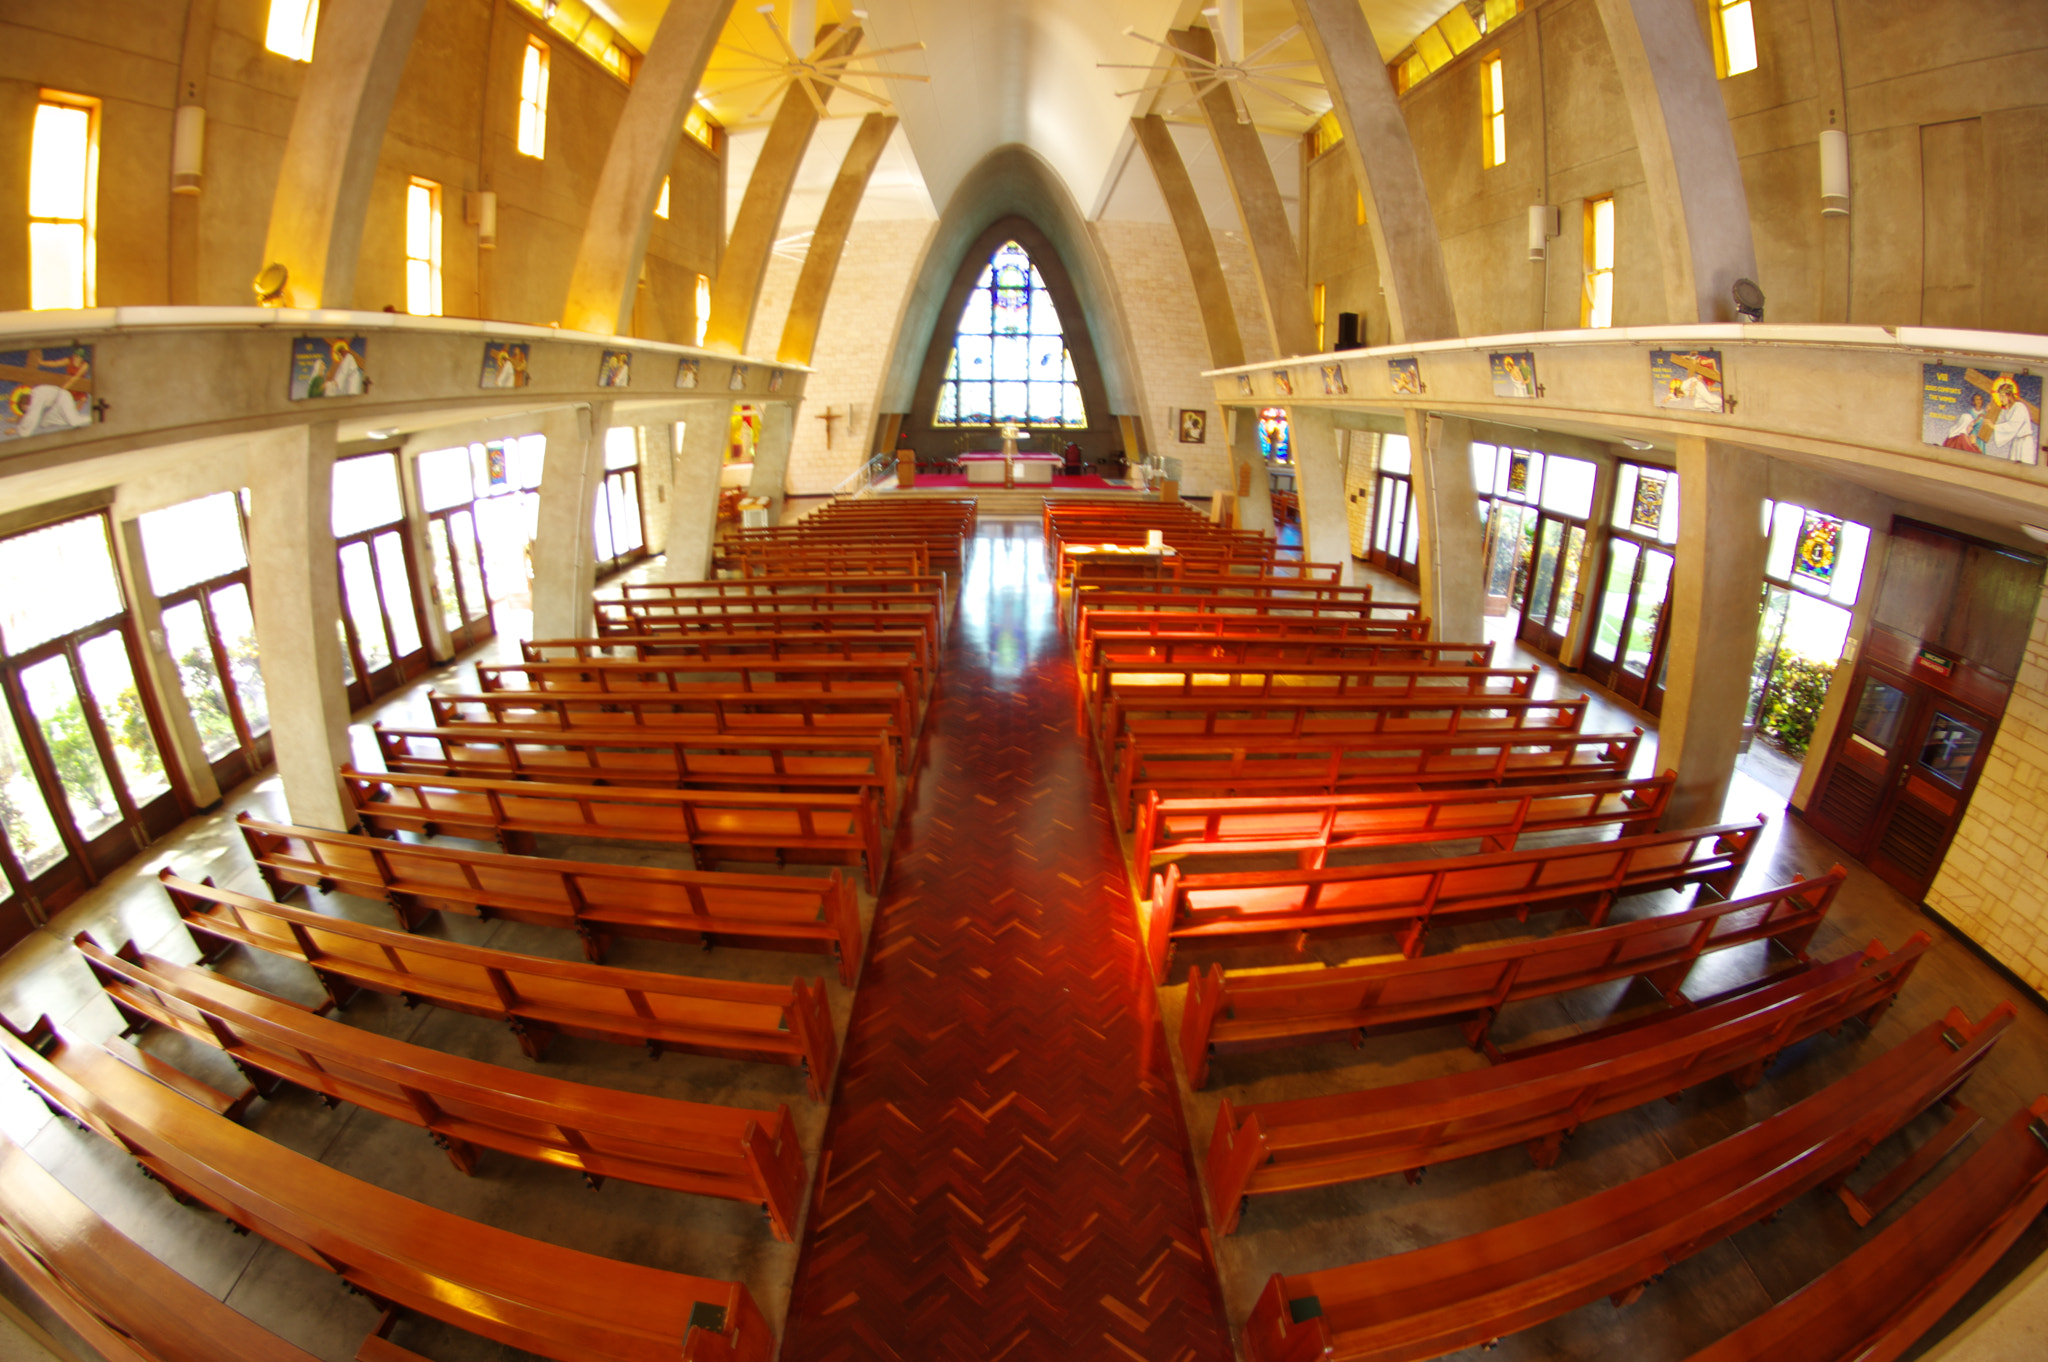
x,y
1011,357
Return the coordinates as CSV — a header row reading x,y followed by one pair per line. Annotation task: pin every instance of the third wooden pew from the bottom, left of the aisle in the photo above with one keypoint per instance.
x,y
468,1105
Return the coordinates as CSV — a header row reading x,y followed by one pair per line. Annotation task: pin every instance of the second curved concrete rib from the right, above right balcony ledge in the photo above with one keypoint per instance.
x,y
1383,159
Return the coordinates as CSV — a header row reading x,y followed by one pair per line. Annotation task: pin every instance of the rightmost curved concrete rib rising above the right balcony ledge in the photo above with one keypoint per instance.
x,y
1691,171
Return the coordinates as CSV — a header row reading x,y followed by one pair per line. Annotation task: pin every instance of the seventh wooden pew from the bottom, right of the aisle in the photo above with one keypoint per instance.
x,y
1193,767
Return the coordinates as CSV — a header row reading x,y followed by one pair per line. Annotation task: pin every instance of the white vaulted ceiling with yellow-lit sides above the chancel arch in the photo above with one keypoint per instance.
x,y
1011,73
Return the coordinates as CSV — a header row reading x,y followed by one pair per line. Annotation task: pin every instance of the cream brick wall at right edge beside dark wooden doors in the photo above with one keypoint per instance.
x,y
1992,882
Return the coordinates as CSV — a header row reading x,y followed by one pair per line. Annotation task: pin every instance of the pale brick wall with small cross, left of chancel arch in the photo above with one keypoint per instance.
x,y
853,345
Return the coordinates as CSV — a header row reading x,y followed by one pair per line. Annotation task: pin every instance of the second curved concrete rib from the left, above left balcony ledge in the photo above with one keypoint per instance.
x,y
644,146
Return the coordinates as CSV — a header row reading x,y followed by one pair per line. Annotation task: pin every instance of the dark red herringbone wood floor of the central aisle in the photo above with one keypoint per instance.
x,y
1007,1156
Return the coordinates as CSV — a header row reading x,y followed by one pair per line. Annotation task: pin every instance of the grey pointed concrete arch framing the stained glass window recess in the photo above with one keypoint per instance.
x,y
1013,181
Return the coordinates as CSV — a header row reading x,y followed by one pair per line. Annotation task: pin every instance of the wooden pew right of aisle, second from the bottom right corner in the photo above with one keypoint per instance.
x,y
1613,1244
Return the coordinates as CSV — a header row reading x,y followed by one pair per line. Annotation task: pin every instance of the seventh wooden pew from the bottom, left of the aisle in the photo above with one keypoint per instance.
x,y
648,759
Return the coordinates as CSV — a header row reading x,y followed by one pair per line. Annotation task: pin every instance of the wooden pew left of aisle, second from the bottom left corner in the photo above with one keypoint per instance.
x,y
503,1287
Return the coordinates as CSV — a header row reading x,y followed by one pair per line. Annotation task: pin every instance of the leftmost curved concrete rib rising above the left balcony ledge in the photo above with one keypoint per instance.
x,y
331,157
